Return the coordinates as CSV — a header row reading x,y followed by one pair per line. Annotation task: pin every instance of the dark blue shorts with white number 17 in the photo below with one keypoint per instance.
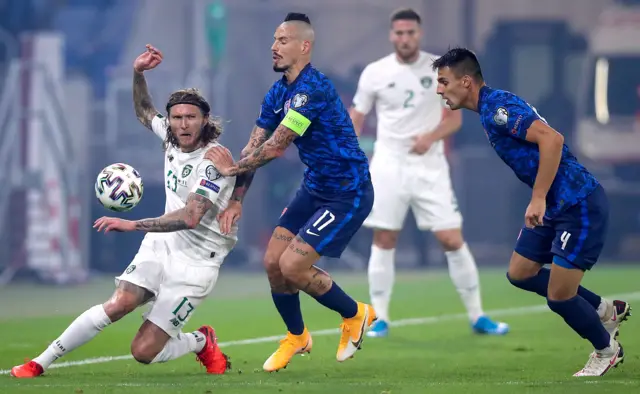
x,y
327,223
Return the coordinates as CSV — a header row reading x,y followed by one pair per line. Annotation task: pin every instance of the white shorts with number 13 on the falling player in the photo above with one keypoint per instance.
x,y
179,285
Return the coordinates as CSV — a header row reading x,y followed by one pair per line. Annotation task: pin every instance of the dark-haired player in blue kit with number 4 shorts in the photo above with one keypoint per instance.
x,y
566,220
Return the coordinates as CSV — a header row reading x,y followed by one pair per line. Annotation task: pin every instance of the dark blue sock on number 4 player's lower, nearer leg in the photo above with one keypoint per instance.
x,y
584,320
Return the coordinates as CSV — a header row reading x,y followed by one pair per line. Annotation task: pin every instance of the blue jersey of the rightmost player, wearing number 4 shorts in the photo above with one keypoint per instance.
x,y
506,118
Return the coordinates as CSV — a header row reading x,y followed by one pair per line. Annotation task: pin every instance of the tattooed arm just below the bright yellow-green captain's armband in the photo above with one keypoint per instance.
x,y
274,147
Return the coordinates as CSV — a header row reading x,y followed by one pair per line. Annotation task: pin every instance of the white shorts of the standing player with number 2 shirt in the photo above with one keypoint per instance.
x,y
405,181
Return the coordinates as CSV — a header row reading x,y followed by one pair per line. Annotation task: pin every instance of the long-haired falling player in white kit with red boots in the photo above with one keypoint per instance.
x,y
177,264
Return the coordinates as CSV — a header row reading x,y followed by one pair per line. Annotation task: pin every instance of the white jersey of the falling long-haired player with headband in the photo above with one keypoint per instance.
x,y
187,173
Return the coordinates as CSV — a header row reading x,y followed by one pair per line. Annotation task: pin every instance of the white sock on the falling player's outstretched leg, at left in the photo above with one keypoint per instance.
x,y
81,331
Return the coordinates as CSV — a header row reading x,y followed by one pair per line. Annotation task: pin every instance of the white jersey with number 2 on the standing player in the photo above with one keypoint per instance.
x,y
405,100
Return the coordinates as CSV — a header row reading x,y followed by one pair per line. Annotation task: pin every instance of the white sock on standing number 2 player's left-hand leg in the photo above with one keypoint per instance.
x,y
381,278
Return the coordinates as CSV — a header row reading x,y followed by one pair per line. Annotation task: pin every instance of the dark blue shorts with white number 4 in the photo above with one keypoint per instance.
x,y
574,239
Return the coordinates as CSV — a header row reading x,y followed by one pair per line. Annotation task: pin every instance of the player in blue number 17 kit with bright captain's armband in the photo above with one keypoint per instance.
x,y
333,201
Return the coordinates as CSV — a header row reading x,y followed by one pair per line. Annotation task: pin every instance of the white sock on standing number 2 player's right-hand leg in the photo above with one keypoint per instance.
x,y
464,275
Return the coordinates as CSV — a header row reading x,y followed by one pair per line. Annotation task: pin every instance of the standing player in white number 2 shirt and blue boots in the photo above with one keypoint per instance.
x,y
409,169
